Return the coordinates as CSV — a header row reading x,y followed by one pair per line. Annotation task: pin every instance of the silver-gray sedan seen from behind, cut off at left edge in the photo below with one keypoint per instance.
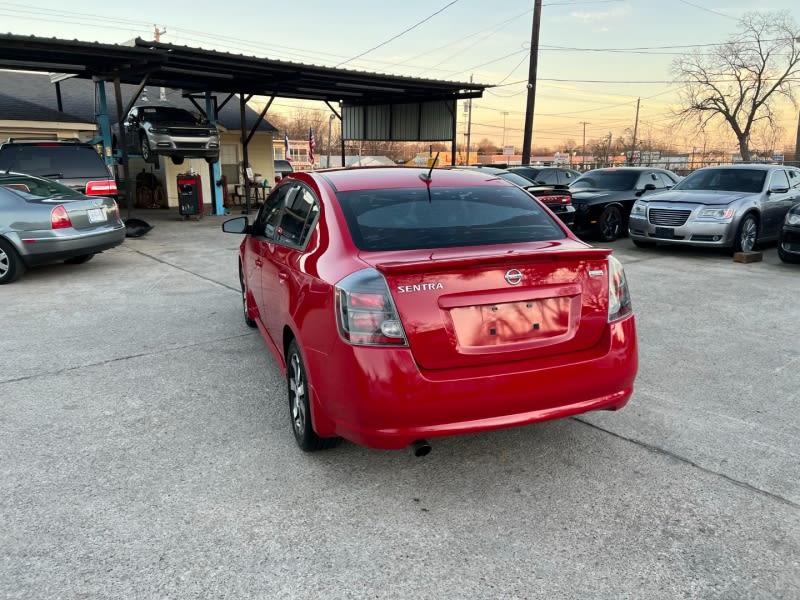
x,y
42,221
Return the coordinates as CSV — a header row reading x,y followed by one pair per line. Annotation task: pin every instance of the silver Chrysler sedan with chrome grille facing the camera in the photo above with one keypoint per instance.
x,y
732,206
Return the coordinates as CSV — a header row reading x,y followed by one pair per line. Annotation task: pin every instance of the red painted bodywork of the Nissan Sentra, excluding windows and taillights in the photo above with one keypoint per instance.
x,y
481,354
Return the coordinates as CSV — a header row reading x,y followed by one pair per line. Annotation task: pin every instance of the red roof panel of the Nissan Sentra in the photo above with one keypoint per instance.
x,y
363,178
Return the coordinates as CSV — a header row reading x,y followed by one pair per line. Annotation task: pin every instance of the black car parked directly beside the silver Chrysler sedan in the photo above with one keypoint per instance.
x,y
603,197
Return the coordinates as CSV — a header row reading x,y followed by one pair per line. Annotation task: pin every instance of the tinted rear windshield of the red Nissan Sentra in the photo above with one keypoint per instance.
x,y
405,219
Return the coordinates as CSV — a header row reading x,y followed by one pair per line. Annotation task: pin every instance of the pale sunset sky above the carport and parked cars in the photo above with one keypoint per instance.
x,y
597,57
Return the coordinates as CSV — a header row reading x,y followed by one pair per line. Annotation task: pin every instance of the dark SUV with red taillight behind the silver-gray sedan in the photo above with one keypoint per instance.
x,y
70,162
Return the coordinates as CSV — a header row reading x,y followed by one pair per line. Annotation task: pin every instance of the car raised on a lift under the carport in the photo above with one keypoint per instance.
x,y
153,130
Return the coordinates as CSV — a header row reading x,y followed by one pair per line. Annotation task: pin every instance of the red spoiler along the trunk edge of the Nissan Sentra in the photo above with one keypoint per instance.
x,y
443,262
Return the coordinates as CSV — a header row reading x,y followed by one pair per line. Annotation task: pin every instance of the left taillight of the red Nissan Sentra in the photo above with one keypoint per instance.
x,y
365,313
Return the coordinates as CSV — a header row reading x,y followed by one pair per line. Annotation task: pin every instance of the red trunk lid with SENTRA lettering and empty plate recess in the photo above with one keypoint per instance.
x,y
468,310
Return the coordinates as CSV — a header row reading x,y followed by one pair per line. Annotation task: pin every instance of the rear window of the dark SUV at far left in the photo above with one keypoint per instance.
x,y
54,161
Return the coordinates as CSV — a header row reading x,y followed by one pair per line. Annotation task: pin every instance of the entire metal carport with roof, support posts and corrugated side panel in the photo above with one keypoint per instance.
x,y
368,98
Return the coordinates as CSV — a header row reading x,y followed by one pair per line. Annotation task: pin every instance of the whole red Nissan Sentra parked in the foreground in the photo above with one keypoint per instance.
x,y
406,304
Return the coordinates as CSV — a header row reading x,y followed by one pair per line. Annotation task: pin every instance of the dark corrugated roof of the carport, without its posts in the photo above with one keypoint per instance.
x,y
199,70
